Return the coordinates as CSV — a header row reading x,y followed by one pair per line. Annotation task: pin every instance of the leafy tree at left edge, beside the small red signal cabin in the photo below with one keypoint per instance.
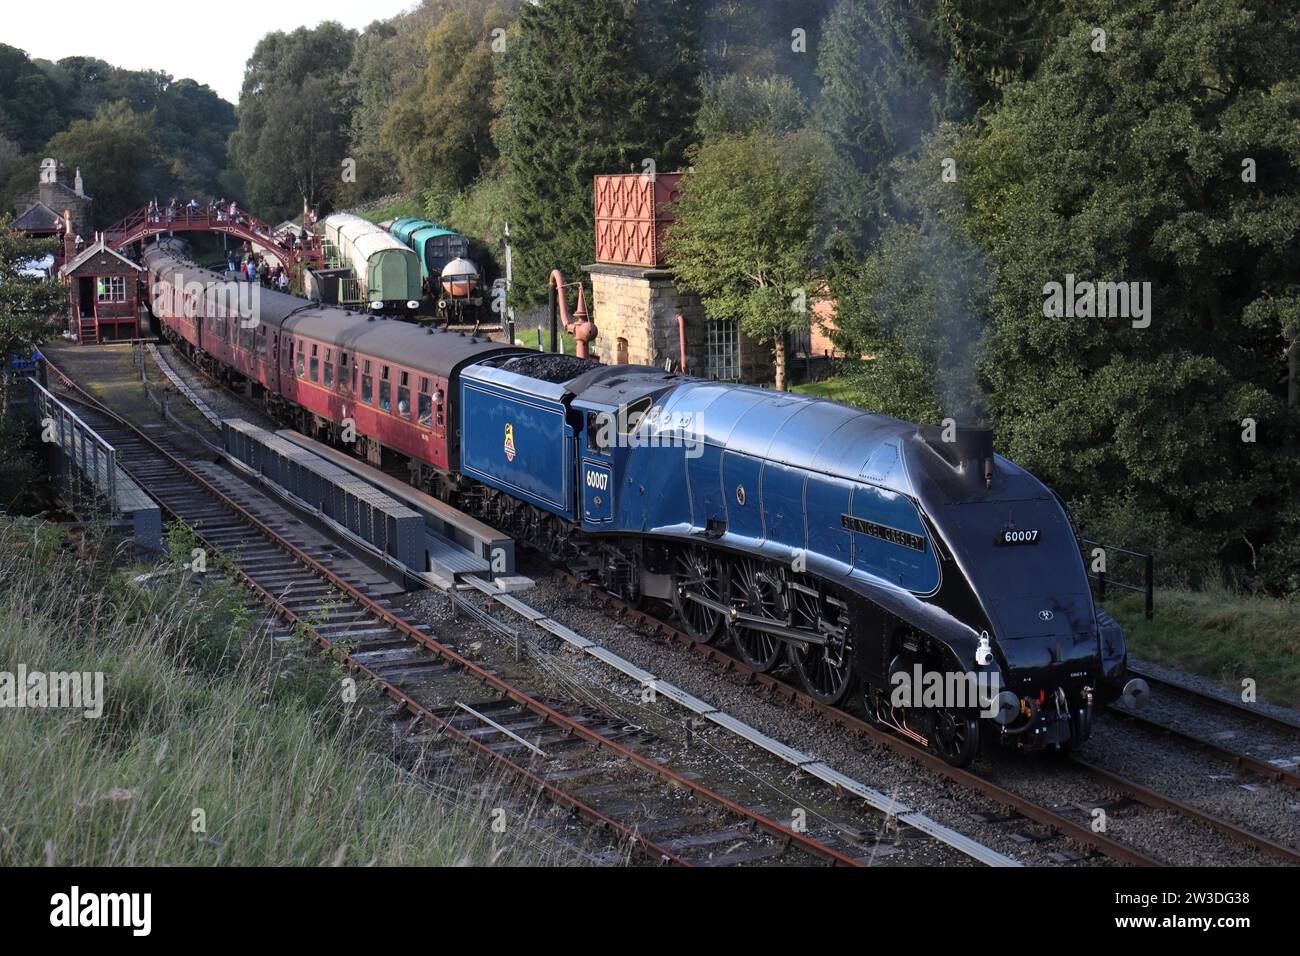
x,y
28,304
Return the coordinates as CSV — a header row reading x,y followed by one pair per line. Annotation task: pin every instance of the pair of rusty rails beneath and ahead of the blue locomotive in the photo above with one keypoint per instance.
x,y
1072,829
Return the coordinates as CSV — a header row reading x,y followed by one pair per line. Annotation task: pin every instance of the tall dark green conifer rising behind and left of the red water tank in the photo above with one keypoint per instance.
x,y
588,86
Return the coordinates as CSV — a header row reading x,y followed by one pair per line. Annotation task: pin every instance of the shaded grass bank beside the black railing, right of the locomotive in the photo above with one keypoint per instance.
x,y
1223,637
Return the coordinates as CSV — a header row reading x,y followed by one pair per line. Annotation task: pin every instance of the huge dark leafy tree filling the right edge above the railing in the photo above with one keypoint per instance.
x,y
1172,158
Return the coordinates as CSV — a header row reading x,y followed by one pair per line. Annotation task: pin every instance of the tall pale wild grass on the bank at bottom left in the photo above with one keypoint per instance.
x,y
213,747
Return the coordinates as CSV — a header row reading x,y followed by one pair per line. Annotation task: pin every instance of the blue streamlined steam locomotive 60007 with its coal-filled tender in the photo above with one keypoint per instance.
x,y
869,553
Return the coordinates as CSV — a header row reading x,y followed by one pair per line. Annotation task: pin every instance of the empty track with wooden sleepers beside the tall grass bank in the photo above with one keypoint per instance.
x,y
593,765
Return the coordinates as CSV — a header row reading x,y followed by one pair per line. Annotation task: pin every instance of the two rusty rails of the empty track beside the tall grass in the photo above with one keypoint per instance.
x,y
791,838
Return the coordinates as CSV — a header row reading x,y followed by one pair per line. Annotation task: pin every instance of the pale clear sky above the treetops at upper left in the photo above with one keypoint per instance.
x,y
206,42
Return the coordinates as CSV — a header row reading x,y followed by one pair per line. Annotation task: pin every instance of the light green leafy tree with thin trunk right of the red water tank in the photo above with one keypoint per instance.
x,y
744,231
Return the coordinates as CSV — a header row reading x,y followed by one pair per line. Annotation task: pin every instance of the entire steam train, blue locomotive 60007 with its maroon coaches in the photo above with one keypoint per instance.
x,y
863,551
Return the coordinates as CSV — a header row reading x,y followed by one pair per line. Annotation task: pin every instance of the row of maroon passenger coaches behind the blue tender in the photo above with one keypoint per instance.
x,y
319,366
